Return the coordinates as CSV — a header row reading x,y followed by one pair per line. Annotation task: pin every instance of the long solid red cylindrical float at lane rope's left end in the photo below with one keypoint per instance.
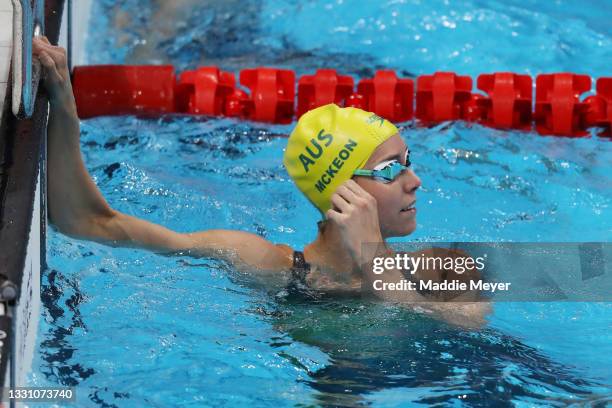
x,y
123,89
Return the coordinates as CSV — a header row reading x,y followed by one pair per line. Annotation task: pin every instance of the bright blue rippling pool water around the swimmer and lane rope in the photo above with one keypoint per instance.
x,y
129,328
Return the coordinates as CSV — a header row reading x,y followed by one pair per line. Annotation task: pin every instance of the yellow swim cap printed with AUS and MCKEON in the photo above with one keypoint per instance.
x,y
328,144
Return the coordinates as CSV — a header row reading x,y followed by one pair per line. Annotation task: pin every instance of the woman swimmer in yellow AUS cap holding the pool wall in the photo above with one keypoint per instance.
x,y
352,165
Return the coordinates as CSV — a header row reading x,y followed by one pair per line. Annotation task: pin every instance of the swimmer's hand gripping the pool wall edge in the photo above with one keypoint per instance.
x,y
55,72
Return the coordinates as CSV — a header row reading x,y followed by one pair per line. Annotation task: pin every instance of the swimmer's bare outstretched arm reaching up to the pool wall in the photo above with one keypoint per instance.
x,y
78,208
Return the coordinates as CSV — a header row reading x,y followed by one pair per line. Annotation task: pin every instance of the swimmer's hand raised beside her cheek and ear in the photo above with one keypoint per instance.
x,y
355,212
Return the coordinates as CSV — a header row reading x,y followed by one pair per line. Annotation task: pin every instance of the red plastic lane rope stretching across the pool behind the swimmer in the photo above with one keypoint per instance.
x,y
506,100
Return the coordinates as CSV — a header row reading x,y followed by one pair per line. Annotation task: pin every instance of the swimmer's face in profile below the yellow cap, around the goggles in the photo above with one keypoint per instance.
x,y
395,197
